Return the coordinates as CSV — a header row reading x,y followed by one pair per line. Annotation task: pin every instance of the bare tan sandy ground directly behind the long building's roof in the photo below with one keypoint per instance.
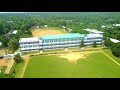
x,y
40,32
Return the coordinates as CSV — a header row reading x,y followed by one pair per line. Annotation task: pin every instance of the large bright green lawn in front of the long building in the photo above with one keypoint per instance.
x,y
96,65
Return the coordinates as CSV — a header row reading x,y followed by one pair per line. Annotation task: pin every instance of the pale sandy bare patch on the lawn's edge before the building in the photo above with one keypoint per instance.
x,y
72,57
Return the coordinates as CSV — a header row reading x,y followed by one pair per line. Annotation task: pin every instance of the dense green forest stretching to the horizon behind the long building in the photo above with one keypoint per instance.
x,y
77,21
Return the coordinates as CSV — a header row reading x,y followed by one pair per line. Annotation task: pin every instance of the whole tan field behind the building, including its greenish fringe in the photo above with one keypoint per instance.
x,y
47,31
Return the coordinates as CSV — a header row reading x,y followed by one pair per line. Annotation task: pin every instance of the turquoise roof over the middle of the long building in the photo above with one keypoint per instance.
x,y
61,36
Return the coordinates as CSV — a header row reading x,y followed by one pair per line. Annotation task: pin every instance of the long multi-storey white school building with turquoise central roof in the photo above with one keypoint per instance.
x,y
58,41
